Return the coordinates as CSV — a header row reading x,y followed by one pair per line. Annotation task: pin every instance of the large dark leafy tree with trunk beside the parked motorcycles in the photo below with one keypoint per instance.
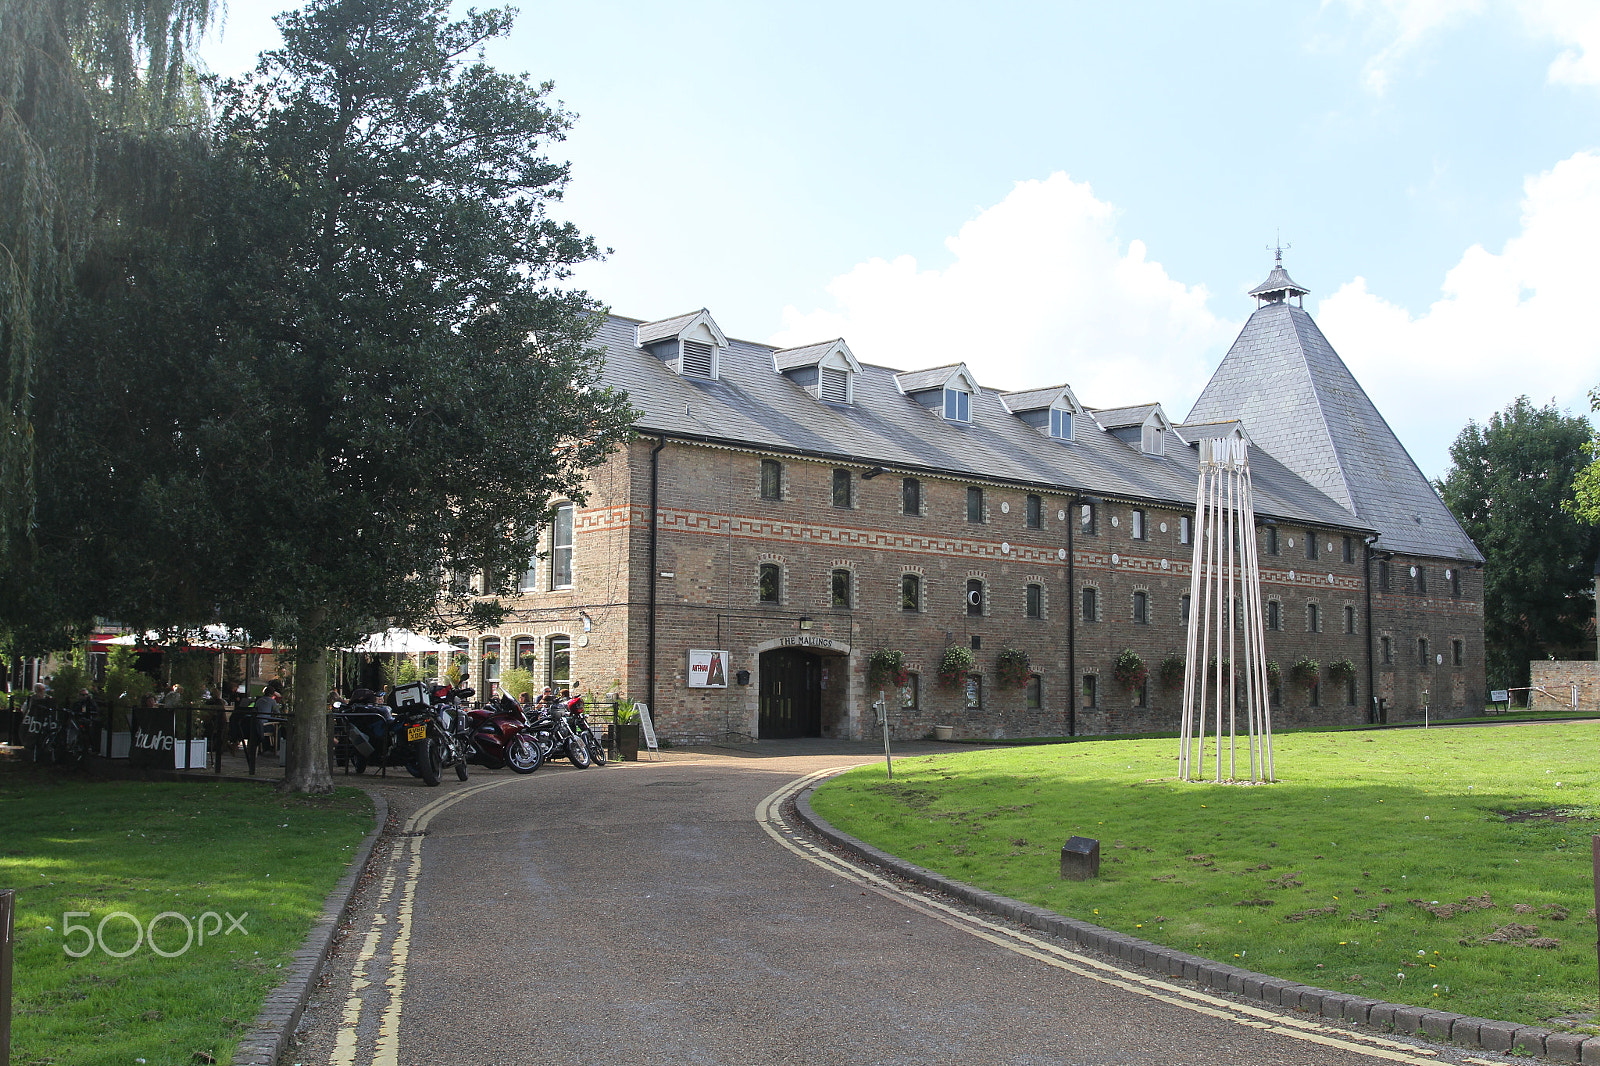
x,y
356,372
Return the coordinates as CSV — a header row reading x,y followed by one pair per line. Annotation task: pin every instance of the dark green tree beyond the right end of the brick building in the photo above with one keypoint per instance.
x,y
1508,486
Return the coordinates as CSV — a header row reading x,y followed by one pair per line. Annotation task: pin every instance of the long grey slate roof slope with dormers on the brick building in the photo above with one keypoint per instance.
x,y
754,407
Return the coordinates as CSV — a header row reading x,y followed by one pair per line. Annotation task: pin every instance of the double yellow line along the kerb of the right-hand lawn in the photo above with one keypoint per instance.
x,y
1052,955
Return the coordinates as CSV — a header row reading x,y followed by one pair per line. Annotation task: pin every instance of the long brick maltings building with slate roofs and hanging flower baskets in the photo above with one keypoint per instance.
x,y
785,515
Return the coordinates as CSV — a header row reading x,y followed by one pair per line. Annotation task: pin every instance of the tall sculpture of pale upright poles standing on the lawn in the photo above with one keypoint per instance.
x,y
1225,588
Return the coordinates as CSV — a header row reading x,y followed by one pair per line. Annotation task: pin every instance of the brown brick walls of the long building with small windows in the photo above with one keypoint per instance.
x,y
716,531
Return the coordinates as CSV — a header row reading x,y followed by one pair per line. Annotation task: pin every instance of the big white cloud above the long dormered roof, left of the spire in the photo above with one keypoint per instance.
x,y
1041,292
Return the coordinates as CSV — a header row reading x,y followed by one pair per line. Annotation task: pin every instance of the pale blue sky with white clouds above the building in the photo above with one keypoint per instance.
x,y
1084,193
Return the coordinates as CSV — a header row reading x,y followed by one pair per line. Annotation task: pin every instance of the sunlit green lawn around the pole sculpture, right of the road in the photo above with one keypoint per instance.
x,y
1340,876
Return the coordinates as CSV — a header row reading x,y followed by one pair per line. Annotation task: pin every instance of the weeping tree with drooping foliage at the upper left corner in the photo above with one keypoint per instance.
x,y
82,86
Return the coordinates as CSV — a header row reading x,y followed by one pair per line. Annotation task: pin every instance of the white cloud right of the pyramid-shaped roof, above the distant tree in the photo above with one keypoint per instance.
x,y
1513,323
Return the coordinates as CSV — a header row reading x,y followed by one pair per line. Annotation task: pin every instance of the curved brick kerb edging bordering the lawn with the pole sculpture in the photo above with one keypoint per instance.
x,y
1436,1025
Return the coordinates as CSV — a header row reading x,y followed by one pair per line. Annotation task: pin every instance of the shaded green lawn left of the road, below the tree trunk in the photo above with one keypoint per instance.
x,y
76,844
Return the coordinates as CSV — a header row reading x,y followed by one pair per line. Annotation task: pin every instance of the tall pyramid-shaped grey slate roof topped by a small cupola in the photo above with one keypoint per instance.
x,y
1302,404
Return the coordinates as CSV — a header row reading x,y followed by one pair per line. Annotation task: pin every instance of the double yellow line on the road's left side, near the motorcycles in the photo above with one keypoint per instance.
x,y
386,1049
